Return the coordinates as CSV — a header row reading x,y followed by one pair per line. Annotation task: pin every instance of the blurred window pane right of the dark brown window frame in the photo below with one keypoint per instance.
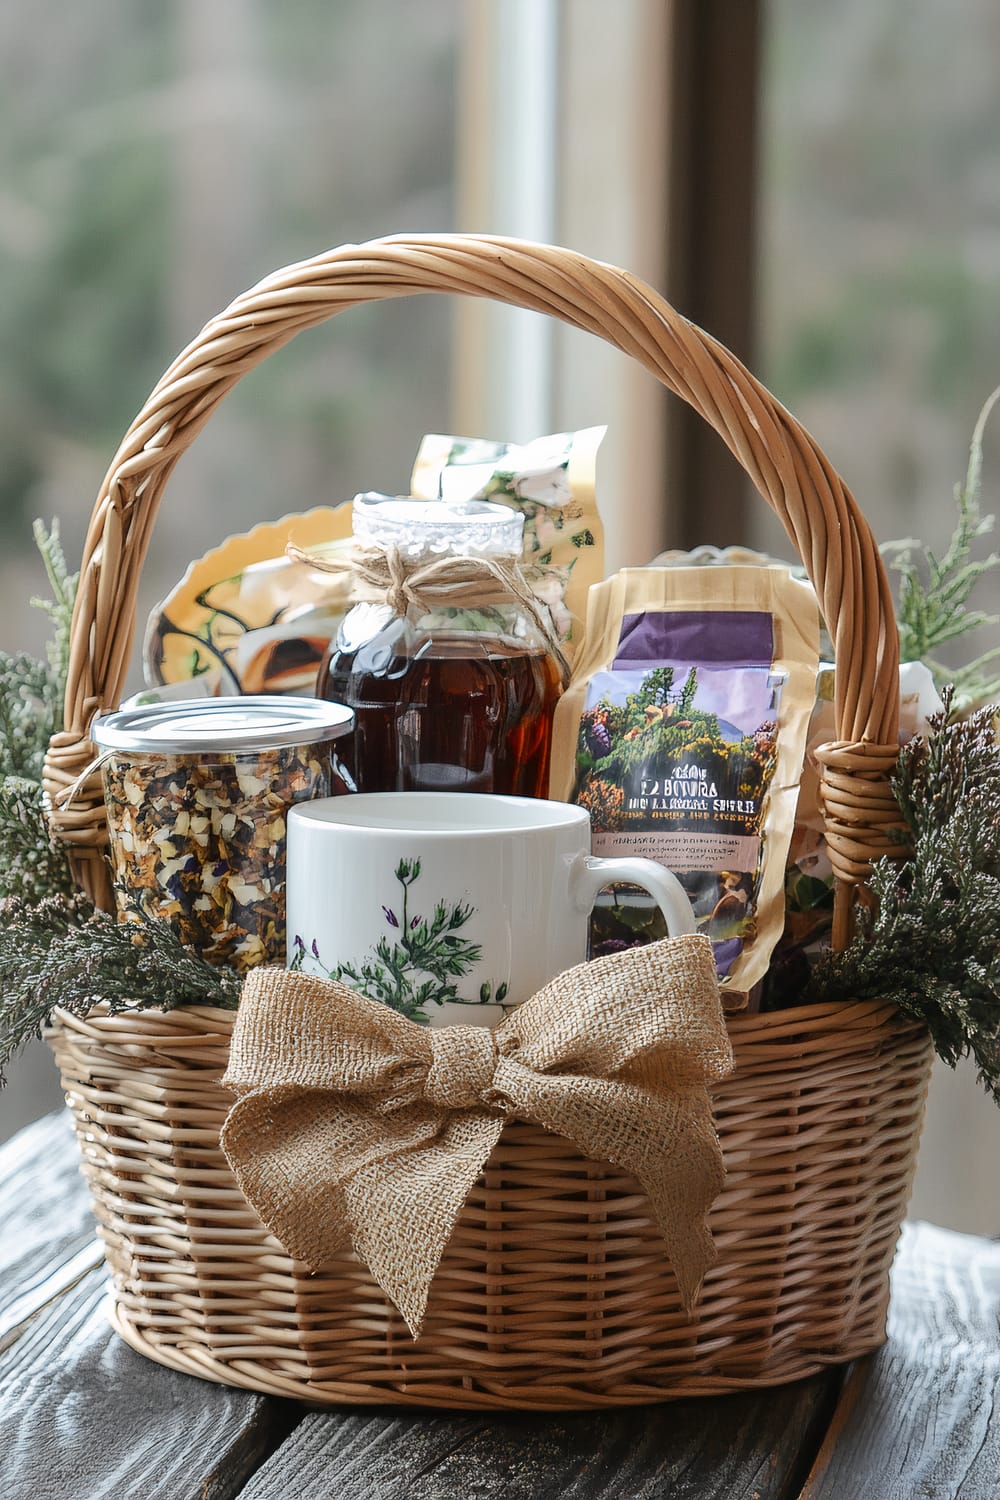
x,y
881,239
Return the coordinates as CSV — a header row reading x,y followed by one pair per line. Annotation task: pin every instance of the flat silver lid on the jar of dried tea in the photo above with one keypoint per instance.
x,y
205,725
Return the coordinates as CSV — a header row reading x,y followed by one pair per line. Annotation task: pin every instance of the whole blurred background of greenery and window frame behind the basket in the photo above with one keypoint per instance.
x,y
816,185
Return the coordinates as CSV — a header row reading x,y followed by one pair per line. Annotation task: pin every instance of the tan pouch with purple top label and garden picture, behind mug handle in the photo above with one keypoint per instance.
x,y
683,733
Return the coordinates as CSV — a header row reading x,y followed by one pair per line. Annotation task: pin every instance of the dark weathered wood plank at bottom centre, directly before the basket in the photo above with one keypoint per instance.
x,y
738,1448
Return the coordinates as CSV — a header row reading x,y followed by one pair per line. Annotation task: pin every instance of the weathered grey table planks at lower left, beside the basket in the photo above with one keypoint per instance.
x,y
82,1415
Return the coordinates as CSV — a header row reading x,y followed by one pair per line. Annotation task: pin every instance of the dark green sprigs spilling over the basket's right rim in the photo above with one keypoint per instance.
x,y
932,943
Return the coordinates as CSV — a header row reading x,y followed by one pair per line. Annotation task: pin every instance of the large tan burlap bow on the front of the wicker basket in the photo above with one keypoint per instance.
x,y
358,1127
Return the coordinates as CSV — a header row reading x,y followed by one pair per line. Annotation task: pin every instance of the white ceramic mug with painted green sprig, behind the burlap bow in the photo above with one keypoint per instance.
x,y
451,907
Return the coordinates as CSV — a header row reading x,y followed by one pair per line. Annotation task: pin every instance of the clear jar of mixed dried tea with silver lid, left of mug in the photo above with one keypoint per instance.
x,y
199,796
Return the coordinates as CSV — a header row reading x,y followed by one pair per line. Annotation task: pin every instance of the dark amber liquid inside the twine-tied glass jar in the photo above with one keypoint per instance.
x,y
451,715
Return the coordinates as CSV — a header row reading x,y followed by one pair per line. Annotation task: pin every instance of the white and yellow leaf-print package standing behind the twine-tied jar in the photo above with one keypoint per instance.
x,y
552,482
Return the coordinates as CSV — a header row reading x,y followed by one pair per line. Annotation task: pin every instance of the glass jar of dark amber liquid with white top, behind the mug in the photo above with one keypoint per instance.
x,y
446,697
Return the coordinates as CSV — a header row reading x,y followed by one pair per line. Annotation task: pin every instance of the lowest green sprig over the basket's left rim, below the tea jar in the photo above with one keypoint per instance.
x,y
62,953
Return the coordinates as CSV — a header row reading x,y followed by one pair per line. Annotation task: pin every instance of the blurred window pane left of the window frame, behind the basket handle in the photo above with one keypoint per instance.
x,y
160,158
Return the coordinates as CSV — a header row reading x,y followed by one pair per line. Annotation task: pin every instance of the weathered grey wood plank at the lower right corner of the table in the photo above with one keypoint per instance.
x,y
921,1417
